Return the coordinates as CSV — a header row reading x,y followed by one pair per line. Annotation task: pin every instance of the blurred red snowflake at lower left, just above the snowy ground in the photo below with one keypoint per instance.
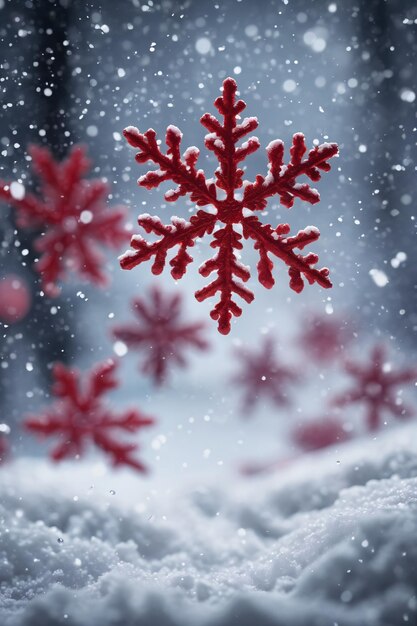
x,y
80,416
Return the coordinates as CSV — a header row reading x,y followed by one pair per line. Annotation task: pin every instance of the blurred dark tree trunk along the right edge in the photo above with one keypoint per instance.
x,y
388,165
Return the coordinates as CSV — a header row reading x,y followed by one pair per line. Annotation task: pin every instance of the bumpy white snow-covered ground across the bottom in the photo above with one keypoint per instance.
x,y
330,540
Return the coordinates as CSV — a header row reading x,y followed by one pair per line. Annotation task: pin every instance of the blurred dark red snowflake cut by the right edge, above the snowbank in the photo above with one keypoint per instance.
x,y
376,388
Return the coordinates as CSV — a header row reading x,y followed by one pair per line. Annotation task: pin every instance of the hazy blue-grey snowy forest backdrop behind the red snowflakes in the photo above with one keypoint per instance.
x,y
80,72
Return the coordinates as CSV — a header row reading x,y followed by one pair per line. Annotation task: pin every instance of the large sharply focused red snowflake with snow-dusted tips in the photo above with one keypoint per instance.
x,y
234,216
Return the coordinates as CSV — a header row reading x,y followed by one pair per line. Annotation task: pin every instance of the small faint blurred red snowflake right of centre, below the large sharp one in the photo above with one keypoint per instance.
x,y
262,375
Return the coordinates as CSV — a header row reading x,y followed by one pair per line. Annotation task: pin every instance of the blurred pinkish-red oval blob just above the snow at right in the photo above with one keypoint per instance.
x,y
320,433
